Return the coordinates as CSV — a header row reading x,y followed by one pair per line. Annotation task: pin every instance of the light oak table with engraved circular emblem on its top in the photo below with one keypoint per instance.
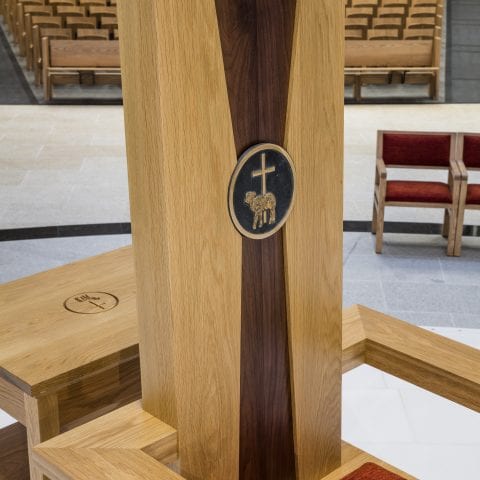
x,y
69,345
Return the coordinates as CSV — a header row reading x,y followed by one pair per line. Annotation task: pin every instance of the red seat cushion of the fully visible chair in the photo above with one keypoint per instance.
x,y
410,191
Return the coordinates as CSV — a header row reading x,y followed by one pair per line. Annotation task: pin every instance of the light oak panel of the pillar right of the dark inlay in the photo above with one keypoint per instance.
x,y
313,235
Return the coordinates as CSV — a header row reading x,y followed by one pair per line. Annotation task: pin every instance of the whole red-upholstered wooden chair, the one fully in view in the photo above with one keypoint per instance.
x,y
416,150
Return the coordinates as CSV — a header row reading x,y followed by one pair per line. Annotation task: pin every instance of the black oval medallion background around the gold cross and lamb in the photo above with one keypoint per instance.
x,y
281,183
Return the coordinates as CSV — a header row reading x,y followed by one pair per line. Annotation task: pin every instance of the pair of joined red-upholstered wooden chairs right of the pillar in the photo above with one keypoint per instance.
x,y
457,153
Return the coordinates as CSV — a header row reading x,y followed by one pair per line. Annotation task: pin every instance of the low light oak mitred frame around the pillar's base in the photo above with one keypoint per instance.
x,y
124,443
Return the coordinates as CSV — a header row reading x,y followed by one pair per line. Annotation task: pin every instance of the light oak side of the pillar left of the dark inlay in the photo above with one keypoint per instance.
x,y
181,153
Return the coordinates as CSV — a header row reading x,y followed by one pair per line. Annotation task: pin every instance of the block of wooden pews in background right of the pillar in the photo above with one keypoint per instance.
x,y
393,42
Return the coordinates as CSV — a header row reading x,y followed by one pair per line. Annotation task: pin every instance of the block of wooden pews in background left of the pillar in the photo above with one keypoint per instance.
x,y
31,21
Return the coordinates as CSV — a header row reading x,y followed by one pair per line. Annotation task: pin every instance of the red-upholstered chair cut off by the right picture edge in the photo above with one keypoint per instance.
x,y
468,158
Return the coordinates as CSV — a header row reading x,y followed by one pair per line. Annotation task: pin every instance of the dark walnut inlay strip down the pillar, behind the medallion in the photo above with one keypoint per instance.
x,y
257,39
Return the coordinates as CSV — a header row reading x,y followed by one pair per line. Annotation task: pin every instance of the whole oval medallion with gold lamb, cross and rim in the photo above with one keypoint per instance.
x,y
261,191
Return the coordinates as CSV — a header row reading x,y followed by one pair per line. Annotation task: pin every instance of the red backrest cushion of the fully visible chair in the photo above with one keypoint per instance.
x,y
416,150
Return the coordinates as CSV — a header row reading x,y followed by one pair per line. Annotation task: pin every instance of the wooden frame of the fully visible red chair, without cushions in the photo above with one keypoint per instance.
x,y
380,191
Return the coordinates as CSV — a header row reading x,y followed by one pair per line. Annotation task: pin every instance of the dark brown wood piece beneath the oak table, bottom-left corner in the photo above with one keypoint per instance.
x,y
14,453
